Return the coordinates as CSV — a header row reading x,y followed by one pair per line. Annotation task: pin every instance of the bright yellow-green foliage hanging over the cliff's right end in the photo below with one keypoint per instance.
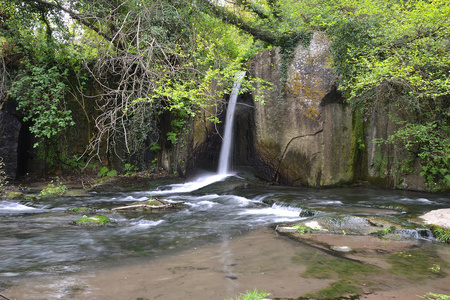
x,y
397,61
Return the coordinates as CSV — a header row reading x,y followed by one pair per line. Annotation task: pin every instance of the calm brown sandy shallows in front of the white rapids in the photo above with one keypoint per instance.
x,y
260,259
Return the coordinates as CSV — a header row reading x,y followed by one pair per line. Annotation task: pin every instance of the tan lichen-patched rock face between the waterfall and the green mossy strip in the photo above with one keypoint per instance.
x,y
305,135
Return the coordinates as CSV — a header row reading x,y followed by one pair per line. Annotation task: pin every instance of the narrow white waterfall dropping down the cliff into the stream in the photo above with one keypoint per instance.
x,y
225,151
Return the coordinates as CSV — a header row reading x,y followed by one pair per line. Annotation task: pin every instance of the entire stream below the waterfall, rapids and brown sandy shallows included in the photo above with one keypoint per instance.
x,y
220,243
